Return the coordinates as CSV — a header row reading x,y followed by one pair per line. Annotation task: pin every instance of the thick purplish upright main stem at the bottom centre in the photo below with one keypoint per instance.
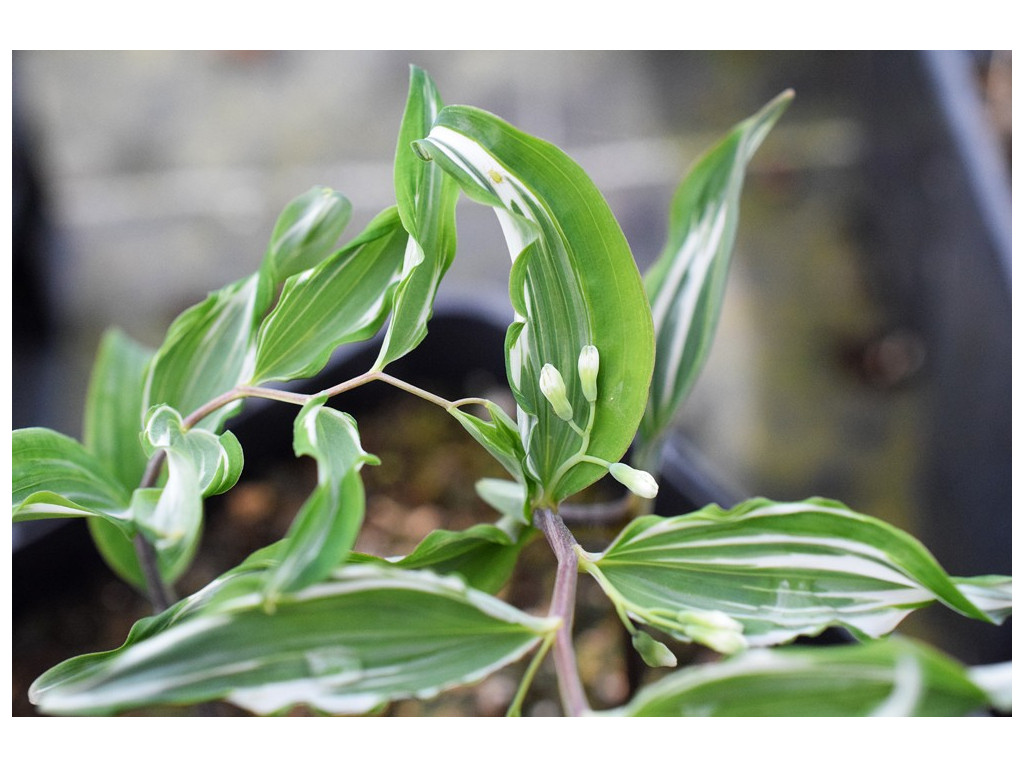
x,y
563,606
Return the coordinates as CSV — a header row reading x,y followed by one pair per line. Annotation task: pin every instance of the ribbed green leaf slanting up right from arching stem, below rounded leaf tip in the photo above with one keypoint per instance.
x,y
345,298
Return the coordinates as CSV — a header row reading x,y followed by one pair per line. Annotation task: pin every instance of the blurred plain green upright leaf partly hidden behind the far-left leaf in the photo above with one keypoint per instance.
x,y
113,423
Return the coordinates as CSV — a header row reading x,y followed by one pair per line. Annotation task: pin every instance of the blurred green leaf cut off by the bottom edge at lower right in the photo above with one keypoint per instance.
x,y
884,678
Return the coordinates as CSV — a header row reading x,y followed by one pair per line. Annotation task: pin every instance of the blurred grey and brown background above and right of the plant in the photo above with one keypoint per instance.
x,y
865,347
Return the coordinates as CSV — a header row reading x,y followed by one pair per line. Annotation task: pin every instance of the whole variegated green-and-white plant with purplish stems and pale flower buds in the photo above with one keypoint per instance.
x,y
599,359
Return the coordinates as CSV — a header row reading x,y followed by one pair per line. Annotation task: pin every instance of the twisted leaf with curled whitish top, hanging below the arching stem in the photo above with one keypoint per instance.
x,y
324,531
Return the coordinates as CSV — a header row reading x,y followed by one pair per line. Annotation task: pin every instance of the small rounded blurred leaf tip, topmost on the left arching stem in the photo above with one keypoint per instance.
x,y
307,232
